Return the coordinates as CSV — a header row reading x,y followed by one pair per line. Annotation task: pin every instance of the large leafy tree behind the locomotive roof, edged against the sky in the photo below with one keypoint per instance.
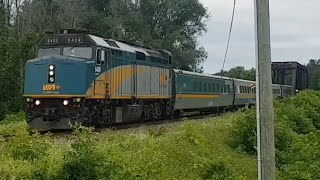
x,y
162,24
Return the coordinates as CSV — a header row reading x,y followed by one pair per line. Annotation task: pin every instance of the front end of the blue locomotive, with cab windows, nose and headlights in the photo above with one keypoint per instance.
x,y
56,81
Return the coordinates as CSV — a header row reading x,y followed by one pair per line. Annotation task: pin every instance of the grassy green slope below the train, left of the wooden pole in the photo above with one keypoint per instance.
x,y
186,150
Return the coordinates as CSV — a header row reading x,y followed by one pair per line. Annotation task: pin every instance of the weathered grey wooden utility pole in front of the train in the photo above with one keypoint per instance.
x,y
265,119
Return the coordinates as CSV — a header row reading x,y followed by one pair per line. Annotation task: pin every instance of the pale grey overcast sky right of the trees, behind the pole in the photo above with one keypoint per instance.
x,y
295,32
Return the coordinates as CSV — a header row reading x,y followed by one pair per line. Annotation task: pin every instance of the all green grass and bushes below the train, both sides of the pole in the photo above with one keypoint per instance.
x,y
215,148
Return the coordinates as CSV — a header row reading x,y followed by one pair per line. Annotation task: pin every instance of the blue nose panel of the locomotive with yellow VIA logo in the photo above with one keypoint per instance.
x,y
56,75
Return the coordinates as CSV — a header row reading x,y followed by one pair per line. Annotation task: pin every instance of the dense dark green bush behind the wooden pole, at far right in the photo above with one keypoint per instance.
x,y
296,135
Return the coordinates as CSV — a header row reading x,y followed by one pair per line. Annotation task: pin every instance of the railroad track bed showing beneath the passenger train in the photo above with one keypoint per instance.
x,y
134,125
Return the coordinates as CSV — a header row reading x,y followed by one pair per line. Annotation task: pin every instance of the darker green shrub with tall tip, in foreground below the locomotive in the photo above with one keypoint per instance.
x,y
85,161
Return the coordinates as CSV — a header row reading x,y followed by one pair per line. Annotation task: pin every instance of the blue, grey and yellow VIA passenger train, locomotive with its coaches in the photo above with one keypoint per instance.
x,y
78,77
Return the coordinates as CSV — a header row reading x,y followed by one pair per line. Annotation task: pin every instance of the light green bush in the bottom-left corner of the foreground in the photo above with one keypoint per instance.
x,y
29,157
